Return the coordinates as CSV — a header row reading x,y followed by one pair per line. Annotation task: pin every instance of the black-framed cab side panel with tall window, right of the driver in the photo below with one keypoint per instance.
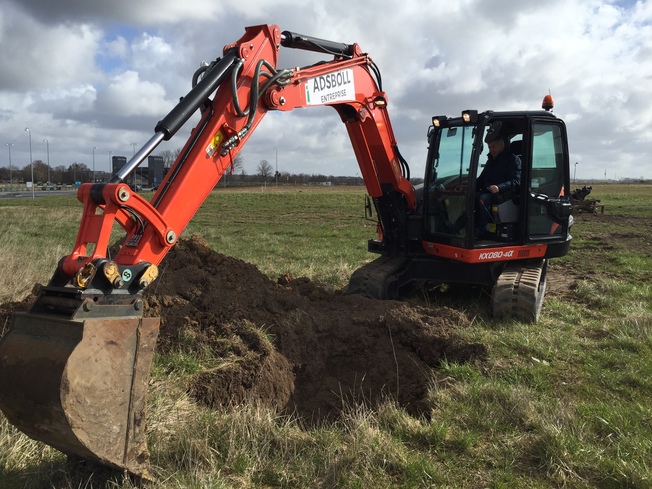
x,y
549,208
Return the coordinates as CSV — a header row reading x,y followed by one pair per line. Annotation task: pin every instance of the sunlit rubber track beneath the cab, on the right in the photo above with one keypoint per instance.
x,y
519,291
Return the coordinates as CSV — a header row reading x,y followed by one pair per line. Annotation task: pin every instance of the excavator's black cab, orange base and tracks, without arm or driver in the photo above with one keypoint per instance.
x,y
527,226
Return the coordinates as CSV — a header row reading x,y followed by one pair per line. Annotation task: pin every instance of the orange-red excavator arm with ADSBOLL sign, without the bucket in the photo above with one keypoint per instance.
x,y
248,86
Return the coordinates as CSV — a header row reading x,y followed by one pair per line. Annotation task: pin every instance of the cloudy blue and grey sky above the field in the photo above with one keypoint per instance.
x,y
100,75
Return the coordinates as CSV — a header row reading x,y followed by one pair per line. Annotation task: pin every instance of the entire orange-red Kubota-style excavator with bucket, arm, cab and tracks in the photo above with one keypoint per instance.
x,y
74,368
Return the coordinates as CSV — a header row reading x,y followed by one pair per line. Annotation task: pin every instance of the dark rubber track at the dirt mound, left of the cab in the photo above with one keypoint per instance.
x,y
375,278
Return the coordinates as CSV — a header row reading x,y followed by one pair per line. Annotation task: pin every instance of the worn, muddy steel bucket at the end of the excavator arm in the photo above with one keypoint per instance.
x,y
80,385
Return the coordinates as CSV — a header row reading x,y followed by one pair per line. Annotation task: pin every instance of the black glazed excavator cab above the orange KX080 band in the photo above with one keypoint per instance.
x,y
537,211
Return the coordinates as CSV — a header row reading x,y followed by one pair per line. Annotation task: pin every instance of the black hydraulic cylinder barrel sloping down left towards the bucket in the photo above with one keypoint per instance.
x,y
197,96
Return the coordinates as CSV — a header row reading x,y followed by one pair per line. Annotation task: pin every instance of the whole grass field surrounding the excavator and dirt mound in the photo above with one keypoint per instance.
x,y
563,403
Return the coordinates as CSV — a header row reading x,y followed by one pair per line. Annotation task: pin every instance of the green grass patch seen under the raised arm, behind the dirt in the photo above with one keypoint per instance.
x,y
319,235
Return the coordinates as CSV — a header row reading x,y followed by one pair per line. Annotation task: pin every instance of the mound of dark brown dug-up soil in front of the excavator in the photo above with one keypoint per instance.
x,y
293,345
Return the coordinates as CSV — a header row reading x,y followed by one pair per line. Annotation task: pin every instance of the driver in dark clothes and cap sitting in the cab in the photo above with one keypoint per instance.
x,y
498,181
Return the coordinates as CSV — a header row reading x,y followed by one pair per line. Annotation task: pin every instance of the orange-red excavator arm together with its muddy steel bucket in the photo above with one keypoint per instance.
x,y
74,369
